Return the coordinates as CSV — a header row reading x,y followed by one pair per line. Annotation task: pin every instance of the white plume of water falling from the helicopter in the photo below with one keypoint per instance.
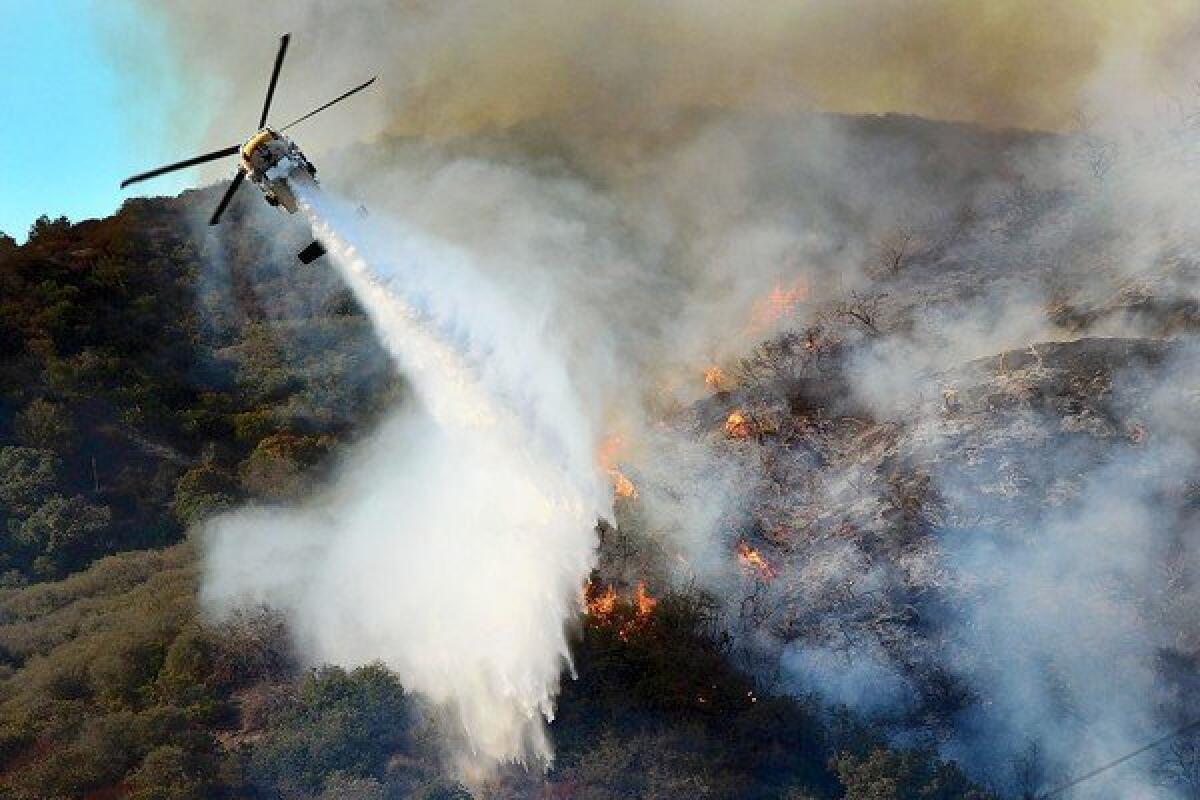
x,y
455,542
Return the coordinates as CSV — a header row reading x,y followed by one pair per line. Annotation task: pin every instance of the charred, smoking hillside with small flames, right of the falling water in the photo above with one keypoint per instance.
x,y
974,543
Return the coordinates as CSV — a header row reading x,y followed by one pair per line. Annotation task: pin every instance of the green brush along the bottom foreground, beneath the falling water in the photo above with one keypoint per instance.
x,y
115,687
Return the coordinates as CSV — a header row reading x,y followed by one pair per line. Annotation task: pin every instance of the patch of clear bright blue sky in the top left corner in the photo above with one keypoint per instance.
x,y
73,124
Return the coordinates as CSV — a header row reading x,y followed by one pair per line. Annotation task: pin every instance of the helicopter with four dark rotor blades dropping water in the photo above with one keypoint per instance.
x,y
271,160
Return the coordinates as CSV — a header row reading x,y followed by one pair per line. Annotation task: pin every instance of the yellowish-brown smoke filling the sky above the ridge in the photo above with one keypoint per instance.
x,y
614,70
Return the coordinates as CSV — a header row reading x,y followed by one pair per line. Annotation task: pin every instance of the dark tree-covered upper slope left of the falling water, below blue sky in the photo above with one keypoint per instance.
x,y
149,378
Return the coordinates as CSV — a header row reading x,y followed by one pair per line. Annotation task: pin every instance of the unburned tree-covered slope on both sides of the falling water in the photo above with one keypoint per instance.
x,y
141,393
